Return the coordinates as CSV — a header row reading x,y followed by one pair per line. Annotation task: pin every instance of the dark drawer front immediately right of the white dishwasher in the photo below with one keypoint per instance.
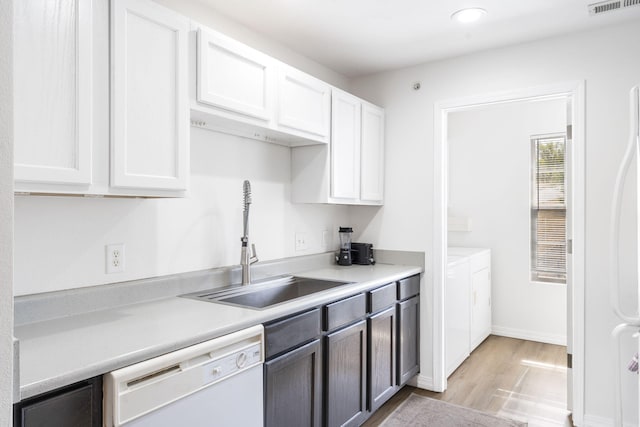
x,y
288,333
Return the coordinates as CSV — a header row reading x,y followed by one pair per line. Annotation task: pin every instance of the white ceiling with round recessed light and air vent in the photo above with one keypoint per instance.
x,y
358,37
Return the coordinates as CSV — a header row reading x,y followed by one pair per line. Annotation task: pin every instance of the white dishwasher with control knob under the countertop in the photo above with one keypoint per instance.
x,y
214,383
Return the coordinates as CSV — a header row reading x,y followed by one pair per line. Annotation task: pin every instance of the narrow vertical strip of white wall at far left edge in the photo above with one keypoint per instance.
x,y
6,213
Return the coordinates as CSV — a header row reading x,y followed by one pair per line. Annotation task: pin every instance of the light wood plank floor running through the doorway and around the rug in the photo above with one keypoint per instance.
x,y
507,377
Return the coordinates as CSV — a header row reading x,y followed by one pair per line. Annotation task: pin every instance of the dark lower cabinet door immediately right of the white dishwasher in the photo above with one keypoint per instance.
x,y
292,388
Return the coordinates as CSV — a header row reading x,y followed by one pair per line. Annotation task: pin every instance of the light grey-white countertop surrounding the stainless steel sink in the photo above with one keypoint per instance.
x,y
62,351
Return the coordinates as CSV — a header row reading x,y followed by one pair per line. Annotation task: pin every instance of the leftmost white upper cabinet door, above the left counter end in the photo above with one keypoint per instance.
x,y
53,105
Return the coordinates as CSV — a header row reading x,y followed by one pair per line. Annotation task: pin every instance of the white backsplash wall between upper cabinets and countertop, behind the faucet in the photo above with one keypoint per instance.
x,y
170,236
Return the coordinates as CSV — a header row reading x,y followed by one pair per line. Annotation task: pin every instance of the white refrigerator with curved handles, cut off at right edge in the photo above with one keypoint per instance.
x,y
625,301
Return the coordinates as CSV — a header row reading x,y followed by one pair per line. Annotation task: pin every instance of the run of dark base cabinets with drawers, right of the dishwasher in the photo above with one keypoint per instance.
x,y
369,348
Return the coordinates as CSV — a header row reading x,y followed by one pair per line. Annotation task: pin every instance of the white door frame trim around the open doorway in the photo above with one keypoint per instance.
x,y
572,95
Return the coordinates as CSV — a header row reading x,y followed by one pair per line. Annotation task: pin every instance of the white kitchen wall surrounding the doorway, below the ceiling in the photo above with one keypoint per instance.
x,y
608,61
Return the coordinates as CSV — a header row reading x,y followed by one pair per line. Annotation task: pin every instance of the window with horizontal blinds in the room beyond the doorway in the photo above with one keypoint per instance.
x,y
548,209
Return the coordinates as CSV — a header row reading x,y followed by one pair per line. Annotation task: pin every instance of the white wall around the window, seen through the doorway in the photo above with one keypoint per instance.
x,y
489,182
